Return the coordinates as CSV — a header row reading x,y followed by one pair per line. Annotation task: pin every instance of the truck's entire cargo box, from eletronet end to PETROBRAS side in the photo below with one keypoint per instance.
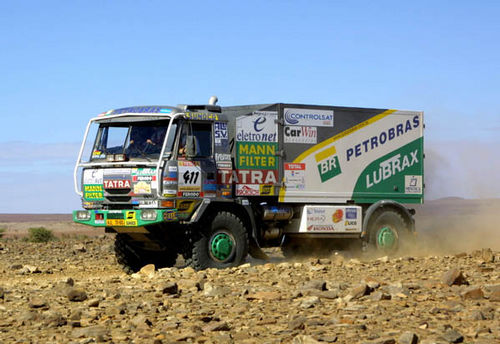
x,y
327,154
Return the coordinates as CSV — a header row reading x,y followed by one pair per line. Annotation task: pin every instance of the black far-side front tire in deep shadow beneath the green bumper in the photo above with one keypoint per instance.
x,y
132,258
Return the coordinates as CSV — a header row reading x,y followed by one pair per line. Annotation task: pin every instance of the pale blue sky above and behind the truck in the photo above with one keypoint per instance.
x,y
63,62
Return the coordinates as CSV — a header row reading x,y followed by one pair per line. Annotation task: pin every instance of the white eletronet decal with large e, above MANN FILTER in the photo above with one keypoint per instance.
x,y
261,127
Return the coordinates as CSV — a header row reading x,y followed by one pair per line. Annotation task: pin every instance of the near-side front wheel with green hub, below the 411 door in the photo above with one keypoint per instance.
x,y
224,245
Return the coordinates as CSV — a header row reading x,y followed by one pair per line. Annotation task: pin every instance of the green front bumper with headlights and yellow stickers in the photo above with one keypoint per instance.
x,y
124,218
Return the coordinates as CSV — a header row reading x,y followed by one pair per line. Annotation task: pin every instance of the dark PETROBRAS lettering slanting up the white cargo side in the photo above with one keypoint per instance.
x,y
382,138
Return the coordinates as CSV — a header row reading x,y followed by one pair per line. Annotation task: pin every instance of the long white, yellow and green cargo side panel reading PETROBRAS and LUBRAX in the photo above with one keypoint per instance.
x,y
333,155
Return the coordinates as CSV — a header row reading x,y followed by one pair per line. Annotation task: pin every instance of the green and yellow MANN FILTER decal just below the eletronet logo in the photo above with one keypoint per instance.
x,y
253,155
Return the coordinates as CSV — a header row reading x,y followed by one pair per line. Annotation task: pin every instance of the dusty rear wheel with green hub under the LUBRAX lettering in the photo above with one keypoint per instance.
x,y
395,227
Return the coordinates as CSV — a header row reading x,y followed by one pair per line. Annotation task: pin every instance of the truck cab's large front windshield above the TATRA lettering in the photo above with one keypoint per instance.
x,y
137,140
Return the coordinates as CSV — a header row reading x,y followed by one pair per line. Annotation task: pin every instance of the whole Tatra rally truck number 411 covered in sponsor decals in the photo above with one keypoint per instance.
x,y
214,184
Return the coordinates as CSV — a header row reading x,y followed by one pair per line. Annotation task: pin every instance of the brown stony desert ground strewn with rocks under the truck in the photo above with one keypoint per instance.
x,y
73,291
